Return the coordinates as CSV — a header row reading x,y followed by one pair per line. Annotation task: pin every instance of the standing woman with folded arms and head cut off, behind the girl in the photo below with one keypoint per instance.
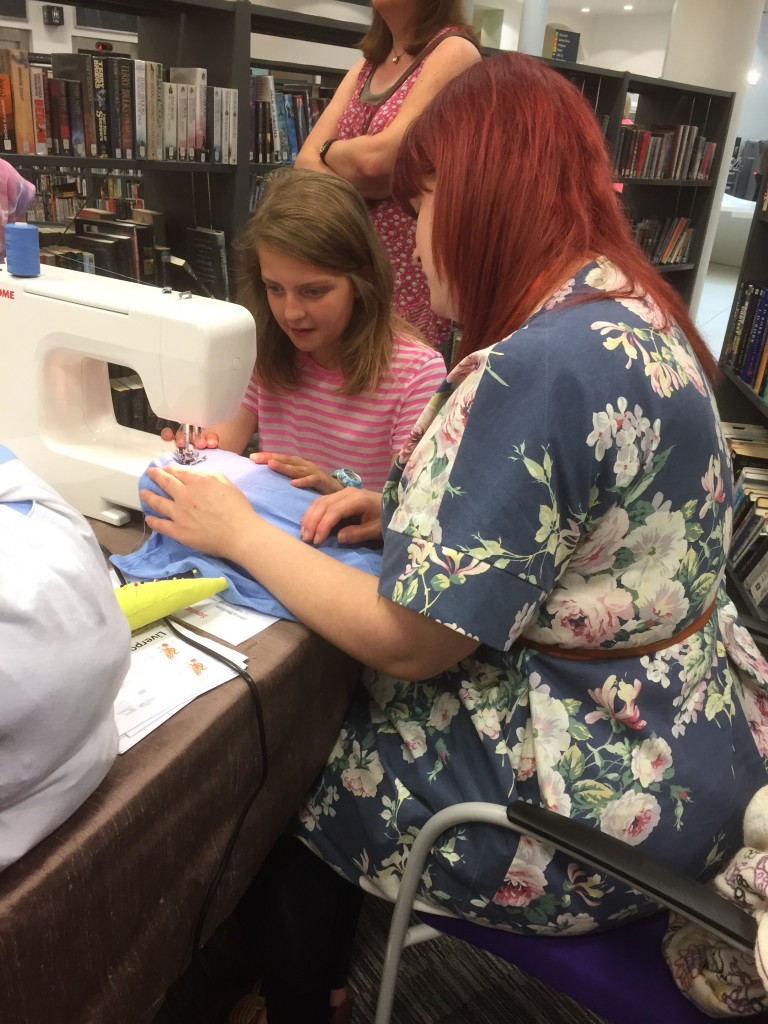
x,y
411,52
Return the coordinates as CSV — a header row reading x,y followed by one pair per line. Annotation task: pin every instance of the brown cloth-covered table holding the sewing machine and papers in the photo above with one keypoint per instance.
x,y
98,921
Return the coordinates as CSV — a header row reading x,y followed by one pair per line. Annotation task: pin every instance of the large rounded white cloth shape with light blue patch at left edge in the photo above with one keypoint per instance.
x,y
66,651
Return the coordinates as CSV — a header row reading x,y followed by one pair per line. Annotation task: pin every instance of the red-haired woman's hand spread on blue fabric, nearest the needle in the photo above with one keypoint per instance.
x,y
204,511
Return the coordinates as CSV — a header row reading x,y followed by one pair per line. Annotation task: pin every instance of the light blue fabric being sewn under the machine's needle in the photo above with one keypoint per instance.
x,y
274,498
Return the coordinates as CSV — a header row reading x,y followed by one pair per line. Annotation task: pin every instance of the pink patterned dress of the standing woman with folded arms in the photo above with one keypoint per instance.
x,y
368,115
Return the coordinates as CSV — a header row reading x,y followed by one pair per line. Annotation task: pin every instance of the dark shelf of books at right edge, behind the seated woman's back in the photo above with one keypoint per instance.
x,y
744,363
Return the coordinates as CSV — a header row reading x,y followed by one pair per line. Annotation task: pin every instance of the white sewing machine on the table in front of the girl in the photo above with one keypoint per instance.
x,y
58,333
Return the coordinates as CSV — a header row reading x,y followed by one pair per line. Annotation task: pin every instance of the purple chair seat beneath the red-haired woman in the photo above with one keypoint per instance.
x,y
620,975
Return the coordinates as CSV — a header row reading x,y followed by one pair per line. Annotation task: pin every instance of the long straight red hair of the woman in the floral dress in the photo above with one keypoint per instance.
x,y
524,188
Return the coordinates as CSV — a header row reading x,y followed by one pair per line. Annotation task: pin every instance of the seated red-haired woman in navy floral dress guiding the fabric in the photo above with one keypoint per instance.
x,y
550,623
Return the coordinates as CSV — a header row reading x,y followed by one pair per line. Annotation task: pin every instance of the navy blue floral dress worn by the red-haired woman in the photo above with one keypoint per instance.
x,y
569,486
